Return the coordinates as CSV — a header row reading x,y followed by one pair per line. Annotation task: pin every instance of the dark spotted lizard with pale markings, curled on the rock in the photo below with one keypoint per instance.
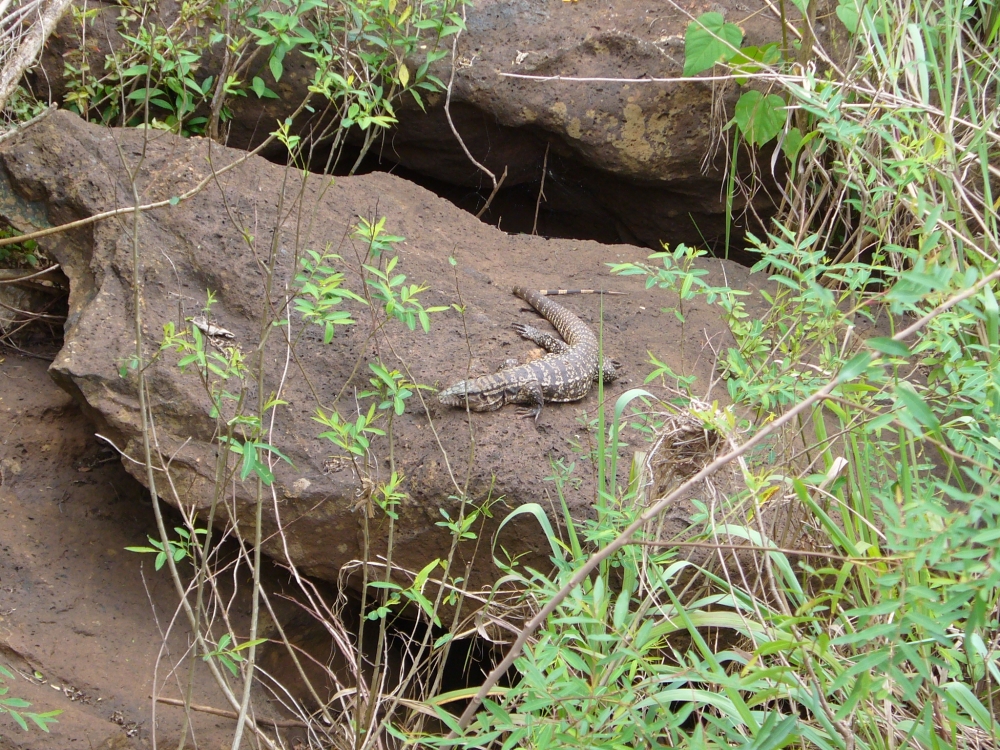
x,y
566,373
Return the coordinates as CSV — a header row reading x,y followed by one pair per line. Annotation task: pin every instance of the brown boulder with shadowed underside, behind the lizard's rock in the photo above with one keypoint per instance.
x,y
627,160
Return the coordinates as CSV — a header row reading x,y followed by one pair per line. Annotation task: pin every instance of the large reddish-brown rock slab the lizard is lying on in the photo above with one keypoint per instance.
x,y
64,169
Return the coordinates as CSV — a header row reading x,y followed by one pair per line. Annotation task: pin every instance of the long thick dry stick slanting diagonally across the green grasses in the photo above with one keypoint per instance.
x,y
625,537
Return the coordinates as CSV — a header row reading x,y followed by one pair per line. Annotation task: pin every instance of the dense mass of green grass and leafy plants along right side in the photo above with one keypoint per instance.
x,y
879,630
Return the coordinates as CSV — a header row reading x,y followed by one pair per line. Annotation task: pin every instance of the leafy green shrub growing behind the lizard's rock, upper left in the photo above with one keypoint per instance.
x,y
360,52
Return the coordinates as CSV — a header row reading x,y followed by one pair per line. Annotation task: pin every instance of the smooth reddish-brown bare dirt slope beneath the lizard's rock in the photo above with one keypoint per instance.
x,y
81,618
